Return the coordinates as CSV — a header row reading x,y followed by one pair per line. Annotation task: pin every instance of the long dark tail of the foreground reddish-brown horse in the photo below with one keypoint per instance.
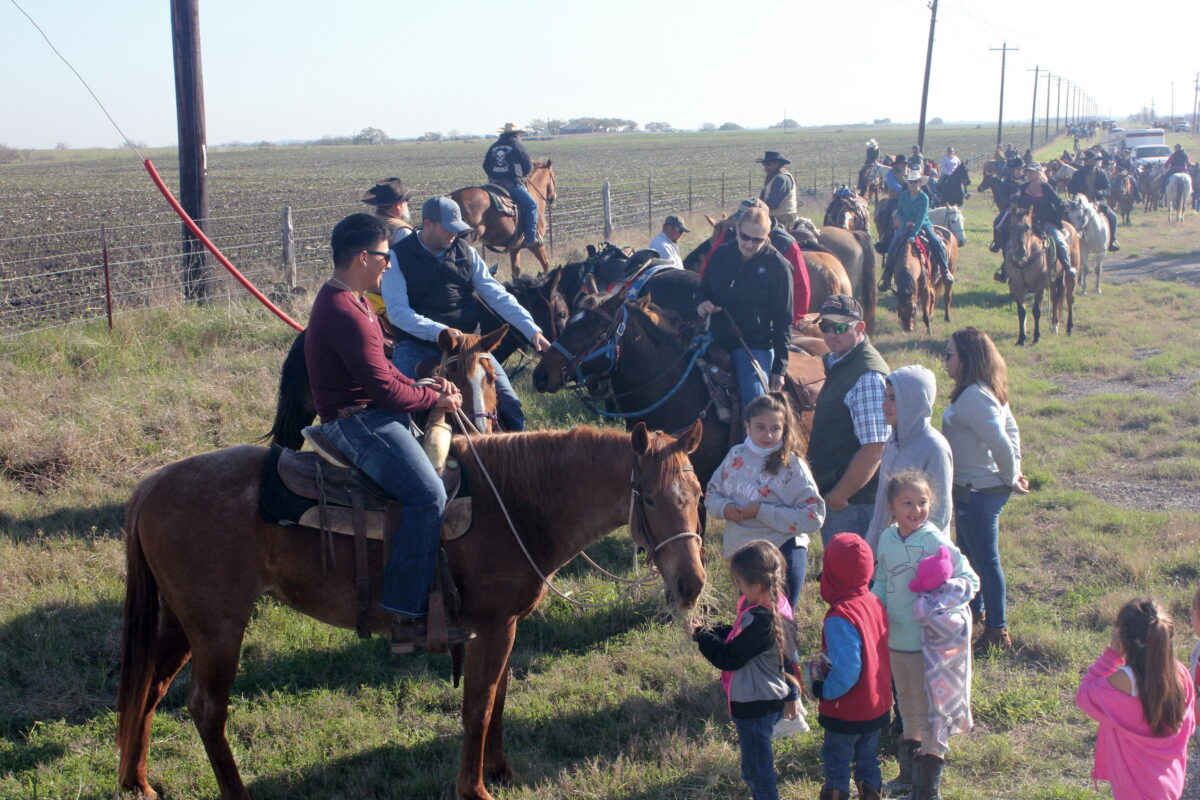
x,y
140,631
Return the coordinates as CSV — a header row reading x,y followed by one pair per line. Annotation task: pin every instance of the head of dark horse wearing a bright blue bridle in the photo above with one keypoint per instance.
x,y
586,350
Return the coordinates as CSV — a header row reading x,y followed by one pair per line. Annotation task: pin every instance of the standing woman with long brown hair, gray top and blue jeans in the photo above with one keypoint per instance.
x,y
987,448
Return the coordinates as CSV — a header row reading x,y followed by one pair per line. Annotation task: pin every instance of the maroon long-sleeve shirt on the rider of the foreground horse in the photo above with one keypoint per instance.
x,y
344,348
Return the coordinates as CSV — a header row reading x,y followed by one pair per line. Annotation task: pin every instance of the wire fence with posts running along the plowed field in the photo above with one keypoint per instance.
x,y
94,272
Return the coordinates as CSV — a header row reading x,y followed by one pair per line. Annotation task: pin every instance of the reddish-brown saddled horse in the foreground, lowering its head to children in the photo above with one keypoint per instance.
x,y
199,556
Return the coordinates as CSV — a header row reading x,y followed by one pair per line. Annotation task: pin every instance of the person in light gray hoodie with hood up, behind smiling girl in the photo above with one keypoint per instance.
x,y
915,446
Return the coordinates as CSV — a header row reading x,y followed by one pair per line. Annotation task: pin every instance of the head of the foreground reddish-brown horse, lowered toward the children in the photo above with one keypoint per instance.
x,y
665,514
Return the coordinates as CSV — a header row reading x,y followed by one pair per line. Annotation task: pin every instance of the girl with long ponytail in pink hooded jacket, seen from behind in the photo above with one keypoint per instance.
x,y
1143,697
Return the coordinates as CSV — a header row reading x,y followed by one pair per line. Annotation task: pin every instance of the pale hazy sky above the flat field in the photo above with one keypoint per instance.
x,y
305,69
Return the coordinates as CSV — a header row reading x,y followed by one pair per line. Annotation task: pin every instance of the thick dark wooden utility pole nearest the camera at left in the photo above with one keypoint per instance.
x,y
194,185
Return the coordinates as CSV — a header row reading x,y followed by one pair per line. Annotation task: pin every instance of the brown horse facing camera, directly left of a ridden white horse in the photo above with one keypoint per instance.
x,y
1029,273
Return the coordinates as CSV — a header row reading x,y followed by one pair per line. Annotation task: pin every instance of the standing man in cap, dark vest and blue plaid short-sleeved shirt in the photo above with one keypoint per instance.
x,y
849,430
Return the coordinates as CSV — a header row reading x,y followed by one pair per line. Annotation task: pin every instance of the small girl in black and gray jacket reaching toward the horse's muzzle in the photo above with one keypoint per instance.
x,y
755,658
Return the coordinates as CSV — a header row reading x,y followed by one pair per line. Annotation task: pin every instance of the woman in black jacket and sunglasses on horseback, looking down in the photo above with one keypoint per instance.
x,y
747,290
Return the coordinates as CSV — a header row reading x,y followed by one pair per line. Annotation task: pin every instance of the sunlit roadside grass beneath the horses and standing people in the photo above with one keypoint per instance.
x,y
603,705
